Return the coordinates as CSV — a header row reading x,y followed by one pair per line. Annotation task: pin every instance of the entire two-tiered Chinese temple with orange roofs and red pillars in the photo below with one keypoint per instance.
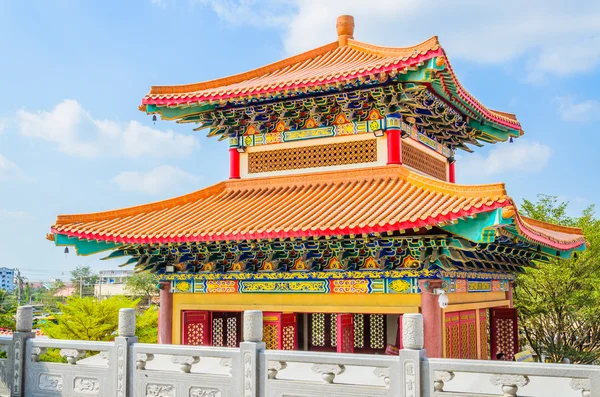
x,y
341,212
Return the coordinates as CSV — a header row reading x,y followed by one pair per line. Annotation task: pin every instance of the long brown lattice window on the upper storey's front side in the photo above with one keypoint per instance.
x,y
356,152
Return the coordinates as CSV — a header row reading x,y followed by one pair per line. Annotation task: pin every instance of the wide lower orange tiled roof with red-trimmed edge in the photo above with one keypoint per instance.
x,y
373,200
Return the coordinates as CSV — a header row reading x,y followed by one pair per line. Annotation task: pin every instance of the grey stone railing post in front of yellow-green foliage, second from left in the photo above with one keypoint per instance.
x,y
125,362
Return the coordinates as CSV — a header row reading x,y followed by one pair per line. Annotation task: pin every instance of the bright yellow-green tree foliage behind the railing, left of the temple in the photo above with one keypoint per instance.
x,y
91,319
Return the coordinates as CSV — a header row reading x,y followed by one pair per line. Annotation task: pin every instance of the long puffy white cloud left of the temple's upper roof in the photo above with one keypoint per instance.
x,y
77,133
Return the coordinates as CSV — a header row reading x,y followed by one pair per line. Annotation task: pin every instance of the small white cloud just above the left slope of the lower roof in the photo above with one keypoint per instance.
x,y
163,179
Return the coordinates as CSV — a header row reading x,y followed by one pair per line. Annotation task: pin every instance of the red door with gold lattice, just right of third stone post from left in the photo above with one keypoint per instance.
x,y
280,331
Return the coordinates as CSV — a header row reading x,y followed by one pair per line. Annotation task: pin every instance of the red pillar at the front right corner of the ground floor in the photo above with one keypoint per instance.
x,y
432,318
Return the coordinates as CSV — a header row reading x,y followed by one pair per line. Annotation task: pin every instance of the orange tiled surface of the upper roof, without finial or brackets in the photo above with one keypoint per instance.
x,y
329,64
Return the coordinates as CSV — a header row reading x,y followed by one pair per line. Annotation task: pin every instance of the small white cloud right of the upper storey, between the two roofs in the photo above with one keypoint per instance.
x,y
520,156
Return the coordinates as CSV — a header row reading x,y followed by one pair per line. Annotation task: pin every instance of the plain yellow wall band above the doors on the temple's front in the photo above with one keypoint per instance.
x,y
301,303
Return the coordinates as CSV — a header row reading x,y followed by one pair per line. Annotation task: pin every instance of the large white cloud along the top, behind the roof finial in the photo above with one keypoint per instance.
x,y
553,35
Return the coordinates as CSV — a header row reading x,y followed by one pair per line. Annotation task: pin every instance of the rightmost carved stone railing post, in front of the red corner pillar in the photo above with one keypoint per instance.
x,y
410,355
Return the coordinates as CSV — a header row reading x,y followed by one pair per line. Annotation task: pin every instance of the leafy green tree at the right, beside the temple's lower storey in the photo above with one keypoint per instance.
x,y
559,301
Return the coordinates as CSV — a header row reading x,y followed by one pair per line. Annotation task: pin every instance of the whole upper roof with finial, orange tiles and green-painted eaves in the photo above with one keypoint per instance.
x,y
341,67
